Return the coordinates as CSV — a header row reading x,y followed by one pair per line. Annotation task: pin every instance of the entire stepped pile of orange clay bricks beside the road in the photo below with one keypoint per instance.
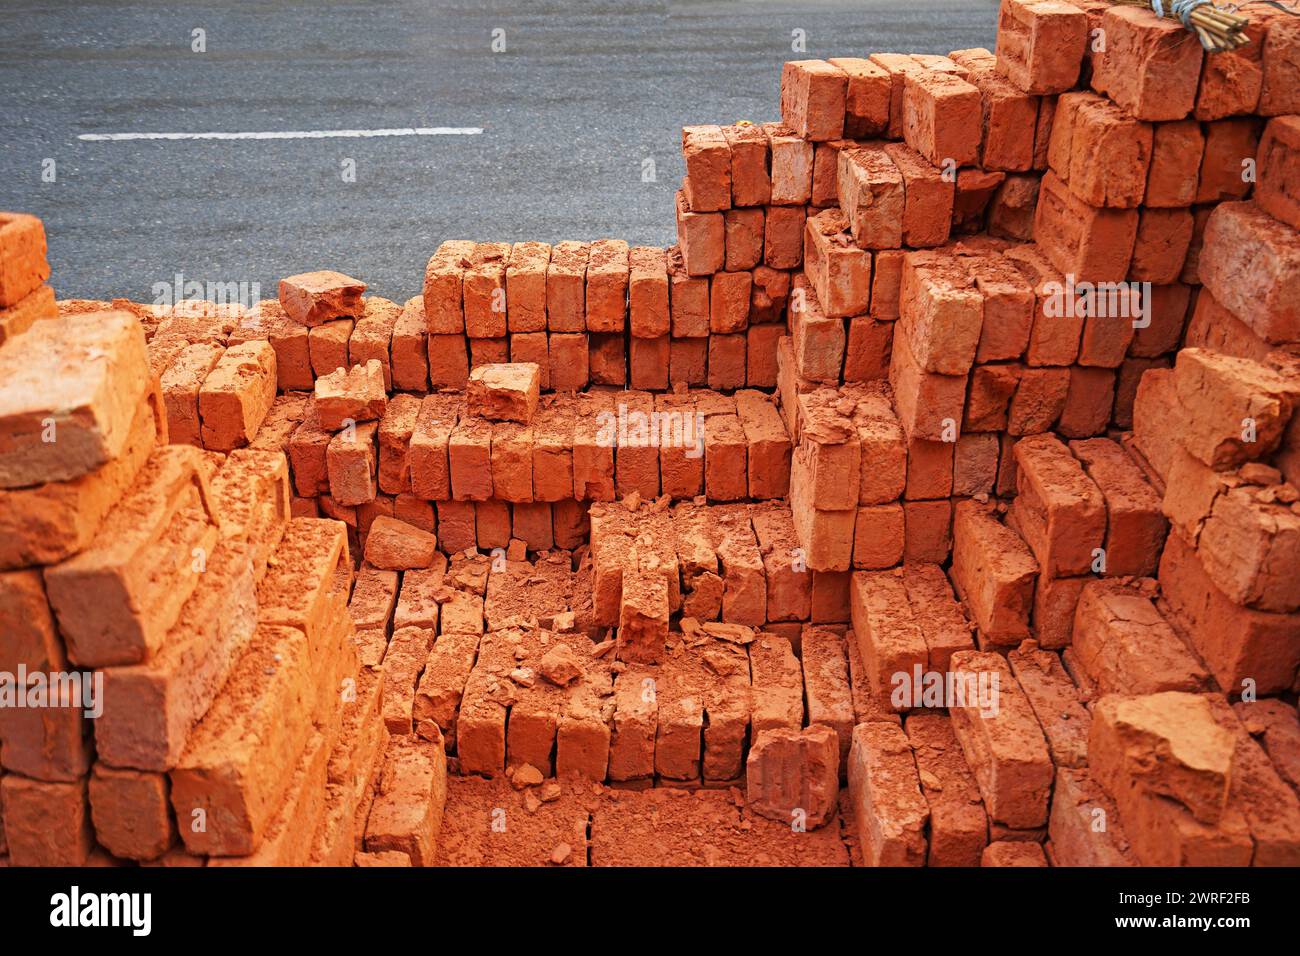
x,y
332,552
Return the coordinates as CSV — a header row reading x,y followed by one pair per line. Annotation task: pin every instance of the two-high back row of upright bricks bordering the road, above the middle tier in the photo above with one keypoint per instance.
x,y
600,314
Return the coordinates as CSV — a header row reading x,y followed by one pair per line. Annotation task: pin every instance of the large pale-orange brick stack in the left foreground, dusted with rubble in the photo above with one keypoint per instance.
x,y
226,719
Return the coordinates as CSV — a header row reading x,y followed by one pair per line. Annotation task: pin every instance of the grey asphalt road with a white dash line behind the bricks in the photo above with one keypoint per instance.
x,y
580,98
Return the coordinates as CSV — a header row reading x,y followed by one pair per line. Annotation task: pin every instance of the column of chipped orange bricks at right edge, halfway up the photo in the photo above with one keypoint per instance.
x,y
1230,496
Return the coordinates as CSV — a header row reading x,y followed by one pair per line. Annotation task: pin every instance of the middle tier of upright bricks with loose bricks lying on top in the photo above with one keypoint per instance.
x,y
452,466
